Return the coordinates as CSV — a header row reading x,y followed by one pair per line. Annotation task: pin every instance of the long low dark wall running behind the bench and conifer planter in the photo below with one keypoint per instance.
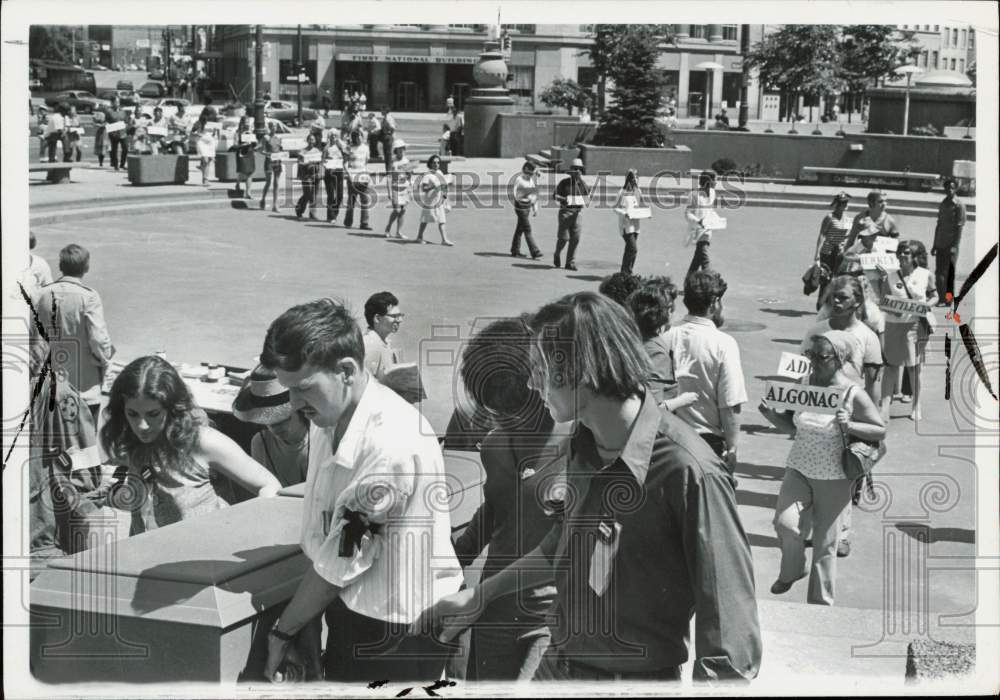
x,y
783,155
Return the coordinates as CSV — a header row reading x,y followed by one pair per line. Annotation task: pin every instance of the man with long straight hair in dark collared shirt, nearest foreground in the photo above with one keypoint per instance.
x,y
650,534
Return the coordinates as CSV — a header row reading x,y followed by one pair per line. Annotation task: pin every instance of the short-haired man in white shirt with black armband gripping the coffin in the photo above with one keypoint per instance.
x,y
379,542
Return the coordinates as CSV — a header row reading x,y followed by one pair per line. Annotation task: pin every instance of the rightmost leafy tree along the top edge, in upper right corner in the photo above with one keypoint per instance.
x,y
872,51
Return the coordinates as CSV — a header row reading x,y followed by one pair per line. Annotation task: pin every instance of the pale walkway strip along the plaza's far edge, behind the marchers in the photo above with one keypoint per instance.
x,y
96,192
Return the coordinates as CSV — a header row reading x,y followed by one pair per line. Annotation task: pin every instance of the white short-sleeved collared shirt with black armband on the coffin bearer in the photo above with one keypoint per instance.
x,y
388,467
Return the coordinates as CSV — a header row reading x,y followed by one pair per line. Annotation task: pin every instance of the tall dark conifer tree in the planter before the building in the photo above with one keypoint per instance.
x,y
627,54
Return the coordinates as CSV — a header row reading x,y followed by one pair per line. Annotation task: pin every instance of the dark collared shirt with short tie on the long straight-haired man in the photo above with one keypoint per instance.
x,y
680,550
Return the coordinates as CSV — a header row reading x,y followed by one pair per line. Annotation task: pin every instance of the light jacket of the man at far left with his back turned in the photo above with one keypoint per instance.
x,y
73,317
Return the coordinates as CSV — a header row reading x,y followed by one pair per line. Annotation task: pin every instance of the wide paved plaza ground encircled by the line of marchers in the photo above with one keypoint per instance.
x,y
204,285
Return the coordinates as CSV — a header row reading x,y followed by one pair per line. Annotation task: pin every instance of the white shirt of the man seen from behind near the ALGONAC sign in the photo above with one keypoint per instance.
x,y
706,362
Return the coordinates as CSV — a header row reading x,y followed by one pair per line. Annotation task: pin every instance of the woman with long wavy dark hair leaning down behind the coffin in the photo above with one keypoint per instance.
x,y
153,427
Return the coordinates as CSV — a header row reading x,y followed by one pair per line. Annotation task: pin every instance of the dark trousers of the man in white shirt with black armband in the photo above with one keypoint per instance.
x,y
361,649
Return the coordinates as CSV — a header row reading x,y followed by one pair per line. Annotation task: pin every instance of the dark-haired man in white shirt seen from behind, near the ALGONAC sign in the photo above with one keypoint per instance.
x,y
707,363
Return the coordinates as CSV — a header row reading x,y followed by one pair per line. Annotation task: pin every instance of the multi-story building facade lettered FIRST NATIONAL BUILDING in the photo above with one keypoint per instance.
x,y
417,67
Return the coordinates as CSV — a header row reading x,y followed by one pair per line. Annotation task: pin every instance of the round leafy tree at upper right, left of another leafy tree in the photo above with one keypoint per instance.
x,y
799,59
